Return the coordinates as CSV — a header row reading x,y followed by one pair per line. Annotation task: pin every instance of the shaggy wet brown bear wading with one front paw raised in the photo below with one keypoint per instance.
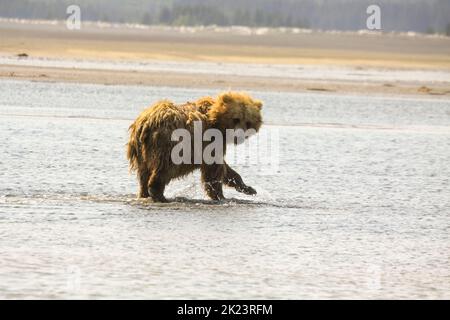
x,y
150,144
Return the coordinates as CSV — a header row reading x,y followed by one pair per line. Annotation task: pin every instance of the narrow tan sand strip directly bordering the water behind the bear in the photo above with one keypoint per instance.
x,y
192,80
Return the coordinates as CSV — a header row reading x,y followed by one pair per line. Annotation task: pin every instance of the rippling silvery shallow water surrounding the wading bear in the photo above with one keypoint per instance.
x,y
358,207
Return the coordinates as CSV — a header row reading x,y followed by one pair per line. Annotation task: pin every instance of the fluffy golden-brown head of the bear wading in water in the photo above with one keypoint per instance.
x,y
235,110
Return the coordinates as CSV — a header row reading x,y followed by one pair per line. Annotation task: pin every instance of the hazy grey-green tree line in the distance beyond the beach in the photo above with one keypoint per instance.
x,y
396,15
